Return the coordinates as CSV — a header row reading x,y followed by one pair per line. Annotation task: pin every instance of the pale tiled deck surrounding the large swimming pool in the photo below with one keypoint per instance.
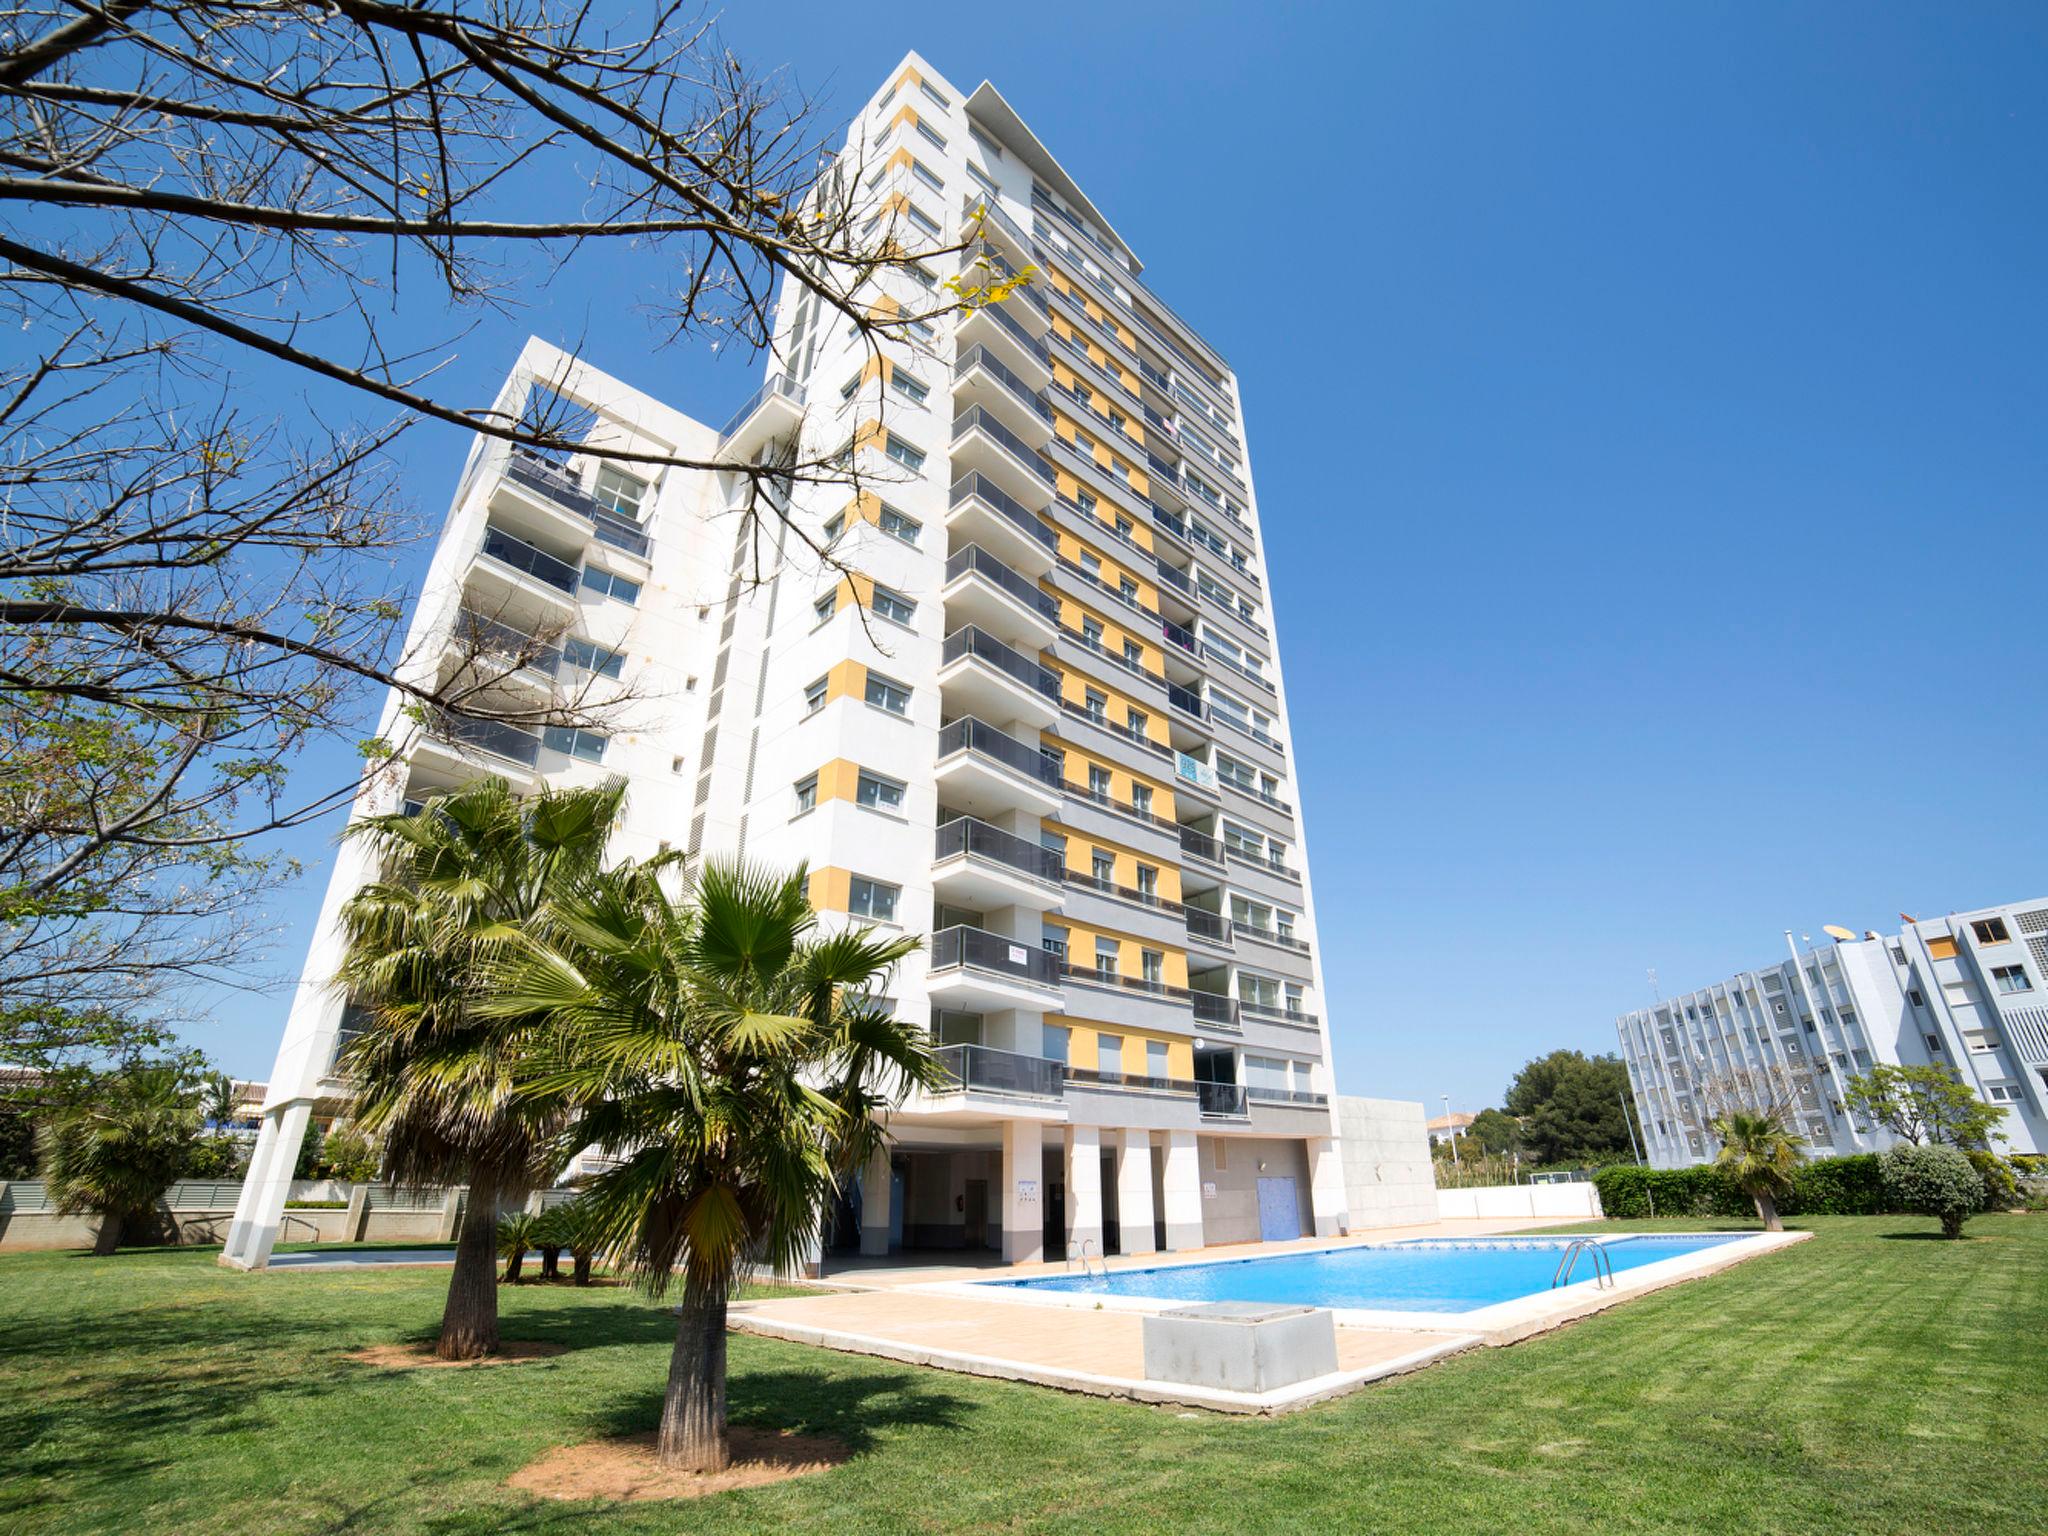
x,y
1084,1342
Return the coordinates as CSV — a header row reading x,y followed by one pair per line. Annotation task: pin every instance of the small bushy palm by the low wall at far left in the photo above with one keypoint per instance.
x,y
120,1152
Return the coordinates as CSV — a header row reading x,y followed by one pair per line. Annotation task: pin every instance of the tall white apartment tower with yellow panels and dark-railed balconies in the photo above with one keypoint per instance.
x,y
1037,722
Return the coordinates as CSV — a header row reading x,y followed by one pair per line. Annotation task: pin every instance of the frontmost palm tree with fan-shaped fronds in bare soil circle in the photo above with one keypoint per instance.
x,y
738,1070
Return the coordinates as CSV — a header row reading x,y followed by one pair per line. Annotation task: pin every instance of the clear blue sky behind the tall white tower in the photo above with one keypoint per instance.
x,y
1652,437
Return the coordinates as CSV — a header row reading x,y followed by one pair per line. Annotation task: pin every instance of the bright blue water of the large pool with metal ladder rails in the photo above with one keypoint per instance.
x,y
1455,1275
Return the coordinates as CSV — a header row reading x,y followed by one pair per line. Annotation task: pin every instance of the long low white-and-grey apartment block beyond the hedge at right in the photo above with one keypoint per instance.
x,y
1963,992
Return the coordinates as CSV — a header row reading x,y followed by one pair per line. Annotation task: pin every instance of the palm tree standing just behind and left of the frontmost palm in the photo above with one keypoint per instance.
x,y
437,1080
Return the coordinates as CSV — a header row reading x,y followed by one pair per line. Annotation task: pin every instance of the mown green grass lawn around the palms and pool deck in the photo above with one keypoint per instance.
x,y
1867,1381
